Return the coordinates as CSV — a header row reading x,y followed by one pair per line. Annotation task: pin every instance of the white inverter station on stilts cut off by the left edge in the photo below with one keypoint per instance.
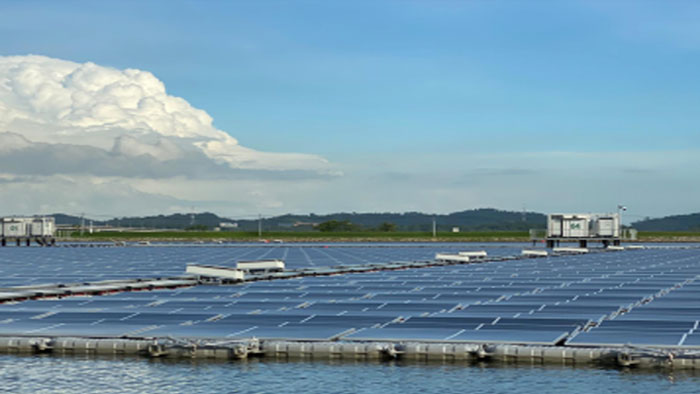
x,y
24,230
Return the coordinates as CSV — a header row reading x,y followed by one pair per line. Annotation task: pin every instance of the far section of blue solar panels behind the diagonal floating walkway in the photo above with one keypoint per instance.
x,y
21,266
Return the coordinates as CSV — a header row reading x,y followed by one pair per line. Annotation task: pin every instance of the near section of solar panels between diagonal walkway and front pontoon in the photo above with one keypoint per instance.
x,y
639,297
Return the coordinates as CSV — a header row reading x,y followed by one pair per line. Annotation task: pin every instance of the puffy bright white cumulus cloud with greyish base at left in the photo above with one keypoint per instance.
x,y
100,114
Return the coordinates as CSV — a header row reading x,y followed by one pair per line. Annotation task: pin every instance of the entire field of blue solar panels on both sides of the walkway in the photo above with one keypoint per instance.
x,y
641,297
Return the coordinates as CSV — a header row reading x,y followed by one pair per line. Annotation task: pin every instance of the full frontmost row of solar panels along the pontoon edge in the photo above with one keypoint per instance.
x,y
385,326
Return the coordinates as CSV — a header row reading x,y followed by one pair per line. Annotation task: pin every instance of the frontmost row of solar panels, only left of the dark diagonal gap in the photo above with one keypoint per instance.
x,y
303,326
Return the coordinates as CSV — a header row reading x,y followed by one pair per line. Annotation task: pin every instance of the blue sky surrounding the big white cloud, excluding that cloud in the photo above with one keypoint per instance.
x,y
417,92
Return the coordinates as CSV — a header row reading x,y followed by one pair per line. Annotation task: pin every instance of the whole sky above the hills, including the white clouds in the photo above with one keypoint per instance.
x,y
119,108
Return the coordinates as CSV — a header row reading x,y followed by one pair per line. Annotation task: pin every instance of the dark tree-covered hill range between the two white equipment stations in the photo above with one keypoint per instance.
x,y
474,220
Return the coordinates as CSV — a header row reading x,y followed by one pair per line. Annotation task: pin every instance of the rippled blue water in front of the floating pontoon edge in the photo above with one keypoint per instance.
x,y
36,374
